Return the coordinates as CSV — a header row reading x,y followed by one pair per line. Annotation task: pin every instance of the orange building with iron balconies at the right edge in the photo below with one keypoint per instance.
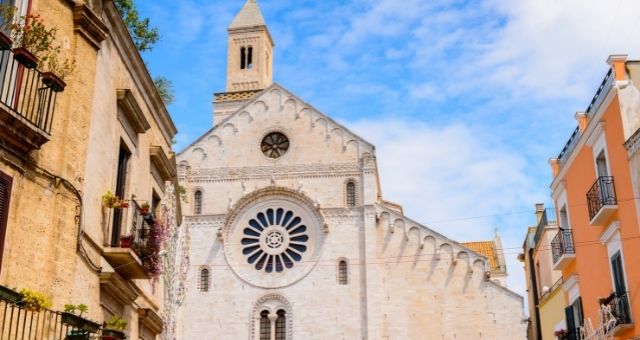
x,y
595,192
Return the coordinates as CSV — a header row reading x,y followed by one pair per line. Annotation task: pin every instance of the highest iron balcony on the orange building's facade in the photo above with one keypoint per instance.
x,y
601,200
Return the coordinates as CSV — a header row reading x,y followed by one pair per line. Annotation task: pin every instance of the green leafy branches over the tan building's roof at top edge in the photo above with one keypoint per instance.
x,y
144,36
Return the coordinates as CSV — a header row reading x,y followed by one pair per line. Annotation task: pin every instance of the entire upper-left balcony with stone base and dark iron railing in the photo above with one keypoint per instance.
x,y
26,105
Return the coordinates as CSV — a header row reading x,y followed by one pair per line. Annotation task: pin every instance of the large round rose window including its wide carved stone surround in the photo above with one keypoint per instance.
x,y
262,227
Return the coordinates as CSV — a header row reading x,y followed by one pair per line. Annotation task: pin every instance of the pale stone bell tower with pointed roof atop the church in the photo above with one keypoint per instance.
x,y
249,60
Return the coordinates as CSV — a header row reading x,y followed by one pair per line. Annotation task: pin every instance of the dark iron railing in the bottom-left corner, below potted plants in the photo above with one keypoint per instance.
x,y
18,322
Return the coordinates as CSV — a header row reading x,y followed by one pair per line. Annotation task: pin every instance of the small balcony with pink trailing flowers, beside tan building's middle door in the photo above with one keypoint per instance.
x,y
127,256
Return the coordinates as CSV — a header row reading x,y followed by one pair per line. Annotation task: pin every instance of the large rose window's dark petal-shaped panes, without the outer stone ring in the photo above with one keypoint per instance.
x,y
274,240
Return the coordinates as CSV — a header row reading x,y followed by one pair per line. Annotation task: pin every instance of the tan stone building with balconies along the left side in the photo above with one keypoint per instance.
x,y
60,152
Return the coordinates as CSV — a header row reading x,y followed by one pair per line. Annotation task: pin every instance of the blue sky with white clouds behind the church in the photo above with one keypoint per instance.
x,y
465,100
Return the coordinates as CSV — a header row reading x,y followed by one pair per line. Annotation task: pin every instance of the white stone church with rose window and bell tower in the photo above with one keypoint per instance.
x,y
291,238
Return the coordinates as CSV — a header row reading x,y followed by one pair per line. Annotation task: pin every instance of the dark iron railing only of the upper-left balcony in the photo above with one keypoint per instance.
x,y
23,92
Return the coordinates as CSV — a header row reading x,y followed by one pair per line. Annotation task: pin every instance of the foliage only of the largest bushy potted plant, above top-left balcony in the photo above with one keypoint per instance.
x,y
33,35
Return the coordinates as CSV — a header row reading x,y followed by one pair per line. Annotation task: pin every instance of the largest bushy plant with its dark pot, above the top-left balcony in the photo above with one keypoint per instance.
x,y
32,40
